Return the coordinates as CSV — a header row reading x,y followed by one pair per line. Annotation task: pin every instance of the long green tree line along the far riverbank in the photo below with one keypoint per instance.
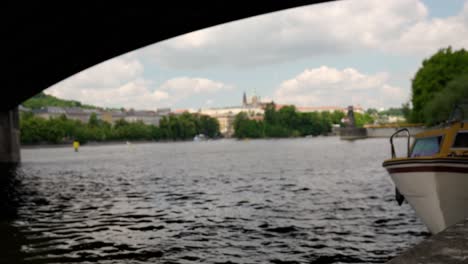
x,y
286,122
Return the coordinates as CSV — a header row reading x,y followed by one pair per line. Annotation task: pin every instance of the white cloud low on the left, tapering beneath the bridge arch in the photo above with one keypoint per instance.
x,y
120,83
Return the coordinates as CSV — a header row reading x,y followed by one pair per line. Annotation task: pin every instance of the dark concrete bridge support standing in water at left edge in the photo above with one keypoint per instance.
x,y
9,136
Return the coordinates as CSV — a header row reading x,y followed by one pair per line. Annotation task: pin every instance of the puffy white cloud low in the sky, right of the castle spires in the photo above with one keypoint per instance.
x,y
330,86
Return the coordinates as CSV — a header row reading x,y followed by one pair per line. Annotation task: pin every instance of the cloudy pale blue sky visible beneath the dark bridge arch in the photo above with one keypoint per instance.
x,y
341,53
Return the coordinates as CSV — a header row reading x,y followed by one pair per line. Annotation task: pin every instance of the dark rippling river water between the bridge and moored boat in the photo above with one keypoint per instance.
x,y
309,200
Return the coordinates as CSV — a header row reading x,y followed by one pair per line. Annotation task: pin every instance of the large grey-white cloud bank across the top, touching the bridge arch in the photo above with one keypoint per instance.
x,y
399,26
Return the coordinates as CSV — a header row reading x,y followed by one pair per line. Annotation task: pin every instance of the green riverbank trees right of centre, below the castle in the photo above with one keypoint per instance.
x,y
287,122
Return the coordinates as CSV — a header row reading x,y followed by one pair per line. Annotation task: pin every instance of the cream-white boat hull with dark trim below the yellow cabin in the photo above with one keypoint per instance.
x,y
437,189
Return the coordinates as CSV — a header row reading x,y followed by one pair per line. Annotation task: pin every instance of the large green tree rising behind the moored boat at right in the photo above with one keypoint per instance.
x,y
438,85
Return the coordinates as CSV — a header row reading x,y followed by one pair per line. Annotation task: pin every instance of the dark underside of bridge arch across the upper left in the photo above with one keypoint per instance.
x,y
46,44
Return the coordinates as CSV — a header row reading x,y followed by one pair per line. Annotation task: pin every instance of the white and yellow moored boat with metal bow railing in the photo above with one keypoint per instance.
x,y
433,176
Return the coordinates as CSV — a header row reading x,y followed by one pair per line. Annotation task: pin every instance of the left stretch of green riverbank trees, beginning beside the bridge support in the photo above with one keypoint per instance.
x,y
36,130
